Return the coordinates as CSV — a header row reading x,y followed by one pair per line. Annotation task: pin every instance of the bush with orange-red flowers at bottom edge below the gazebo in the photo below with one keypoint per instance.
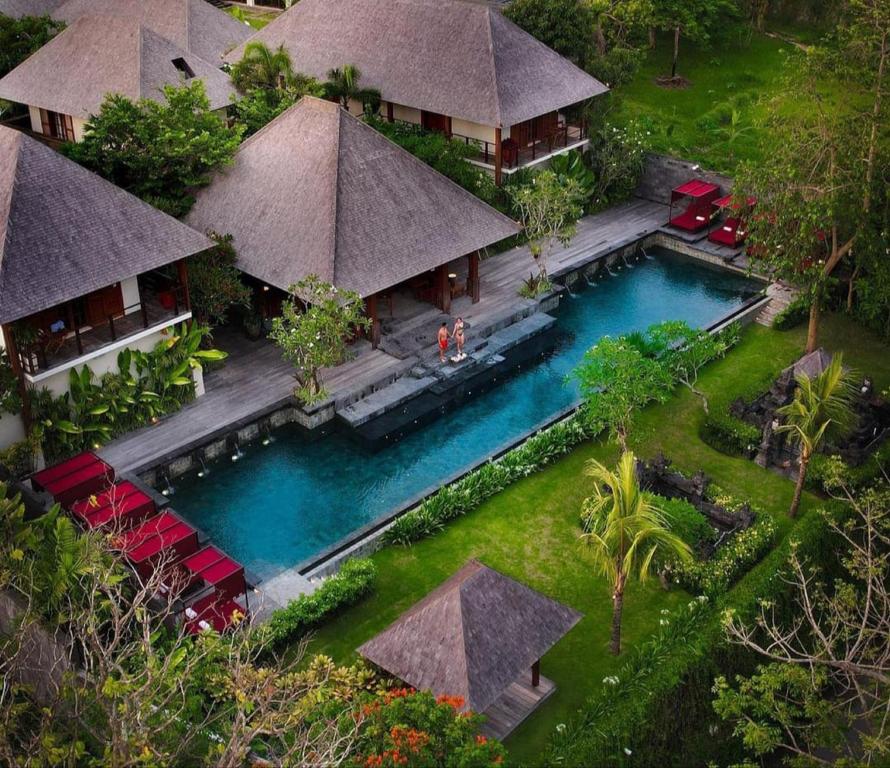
x,y
403,727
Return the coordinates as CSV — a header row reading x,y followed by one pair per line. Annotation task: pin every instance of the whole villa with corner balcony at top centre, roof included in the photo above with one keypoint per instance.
x,y
452,66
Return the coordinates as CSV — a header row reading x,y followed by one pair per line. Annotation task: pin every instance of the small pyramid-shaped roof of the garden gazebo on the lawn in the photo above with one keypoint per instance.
x,y
471,637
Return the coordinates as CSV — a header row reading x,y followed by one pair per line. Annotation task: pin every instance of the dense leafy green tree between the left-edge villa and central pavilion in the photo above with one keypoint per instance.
x,y
159,151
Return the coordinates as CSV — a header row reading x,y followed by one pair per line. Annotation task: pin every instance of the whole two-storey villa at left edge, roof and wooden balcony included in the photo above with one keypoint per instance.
x,y
86,269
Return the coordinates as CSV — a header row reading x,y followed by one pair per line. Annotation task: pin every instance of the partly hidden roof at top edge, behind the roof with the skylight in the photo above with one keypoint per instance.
x,y
194,25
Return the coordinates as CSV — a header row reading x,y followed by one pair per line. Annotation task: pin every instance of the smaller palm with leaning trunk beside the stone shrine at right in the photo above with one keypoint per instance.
x,y
821,404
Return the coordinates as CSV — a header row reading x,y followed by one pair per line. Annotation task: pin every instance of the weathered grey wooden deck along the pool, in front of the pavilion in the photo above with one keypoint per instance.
x,y
255,380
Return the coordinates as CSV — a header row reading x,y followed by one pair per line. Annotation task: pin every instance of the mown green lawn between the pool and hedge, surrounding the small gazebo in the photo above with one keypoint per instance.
x,y
530,531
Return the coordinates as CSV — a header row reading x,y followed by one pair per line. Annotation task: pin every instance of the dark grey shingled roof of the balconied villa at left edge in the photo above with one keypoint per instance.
x,y
65,231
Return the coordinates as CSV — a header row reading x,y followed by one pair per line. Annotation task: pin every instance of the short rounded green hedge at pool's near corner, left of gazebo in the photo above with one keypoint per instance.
x,y
353,581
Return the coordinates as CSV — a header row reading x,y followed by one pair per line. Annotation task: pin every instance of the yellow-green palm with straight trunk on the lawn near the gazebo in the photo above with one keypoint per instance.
x,y
625,531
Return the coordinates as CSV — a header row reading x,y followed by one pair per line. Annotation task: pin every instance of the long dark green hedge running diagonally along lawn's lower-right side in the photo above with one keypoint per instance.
x,y
661,697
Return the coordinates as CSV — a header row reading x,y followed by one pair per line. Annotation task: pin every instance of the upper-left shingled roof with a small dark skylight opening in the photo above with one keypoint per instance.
x,y
98,55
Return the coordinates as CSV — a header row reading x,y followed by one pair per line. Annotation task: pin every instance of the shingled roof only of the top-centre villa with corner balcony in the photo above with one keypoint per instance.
x,y
462,59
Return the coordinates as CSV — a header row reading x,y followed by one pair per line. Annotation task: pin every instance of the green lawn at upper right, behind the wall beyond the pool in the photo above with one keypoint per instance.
x,y
740,73
